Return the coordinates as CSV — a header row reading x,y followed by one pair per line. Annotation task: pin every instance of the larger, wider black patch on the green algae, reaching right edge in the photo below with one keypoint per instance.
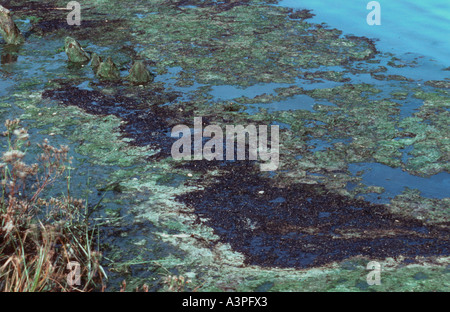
x,y
304,225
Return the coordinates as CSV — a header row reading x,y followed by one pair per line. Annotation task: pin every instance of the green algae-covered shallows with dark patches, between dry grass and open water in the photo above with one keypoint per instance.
x,y
364,145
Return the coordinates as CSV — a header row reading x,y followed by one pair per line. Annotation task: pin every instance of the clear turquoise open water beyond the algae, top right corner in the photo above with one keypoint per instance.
x,y
407,26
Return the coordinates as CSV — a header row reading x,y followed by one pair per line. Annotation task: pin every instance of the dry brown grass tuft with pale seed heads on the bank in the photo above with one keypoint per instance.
x,y
40,238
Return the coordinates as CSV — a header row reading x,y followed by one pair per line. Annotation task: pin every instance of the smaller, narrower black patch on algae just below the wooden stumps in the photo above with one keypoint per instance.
x,y
147,124
